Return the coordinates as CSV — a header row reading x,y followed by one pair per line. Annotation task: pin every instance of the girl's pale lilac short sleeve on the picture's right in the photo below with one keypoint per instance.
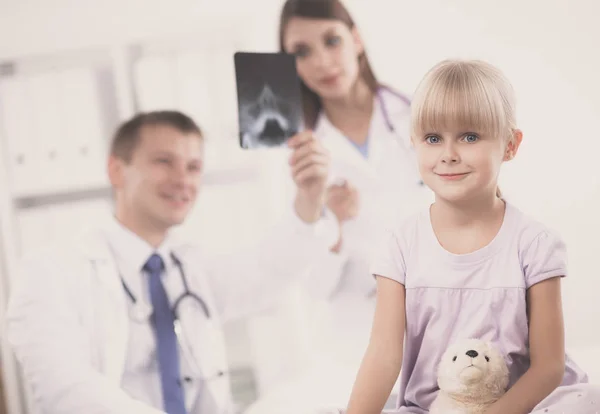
x,y
544,258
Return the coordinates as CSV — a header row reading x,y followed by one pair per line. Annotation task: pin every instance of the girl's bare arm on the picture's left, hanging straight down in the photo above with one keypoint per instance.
x,y
382,361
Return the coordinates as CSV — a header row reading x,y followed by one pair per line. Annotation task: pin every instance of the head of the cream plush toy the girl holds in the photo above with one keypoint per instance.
x,y
473,369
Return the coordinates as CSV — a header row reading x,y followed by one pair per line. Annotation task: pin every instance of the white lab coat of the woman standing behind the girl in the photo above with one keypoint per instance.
x,y
390,188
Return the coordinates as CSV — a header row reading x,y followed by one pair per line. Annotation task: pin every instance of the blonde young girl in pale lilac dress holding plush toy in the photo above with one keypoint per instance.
x,y
470,266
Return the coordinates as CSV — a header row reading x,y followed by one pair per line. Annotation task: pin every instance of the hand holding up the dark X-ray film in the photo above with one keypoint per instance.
x,y
309,164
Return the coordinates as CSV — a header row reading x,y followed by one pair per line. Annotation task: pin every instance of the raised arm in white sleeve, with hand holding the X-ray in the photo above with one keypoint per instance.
x,y
250,280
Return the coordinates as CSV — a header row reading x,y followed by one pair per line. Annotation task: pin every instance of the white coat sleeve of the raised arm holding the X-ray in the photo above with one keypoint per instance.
x,y
254,279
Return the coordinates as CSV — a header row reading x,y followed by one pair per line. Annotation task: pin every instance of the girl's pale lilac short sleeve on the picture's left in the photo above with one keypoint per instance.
x,y
388,260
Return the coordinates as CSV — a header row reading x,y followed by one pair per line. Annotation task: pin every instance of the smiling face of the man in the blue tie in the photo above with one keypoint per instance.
x,y
159,185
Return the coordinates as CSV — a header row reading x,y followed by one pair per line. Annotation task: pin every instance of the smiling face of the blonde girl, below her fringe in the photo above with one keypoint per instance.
x,y
460,165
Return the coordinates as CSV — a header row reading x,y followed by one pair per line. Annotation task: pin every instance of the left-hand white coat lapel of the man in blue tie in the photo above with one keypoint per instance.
x,y
110,306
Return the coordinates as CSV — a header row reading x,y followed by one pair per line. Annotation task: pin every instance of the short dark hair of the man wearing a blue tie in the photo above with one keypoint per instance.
x,y
126,138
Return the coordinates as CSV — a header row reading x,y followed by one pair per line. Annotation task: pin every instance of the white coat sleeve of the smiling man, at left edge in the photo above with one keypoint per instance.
x,y
52,348
